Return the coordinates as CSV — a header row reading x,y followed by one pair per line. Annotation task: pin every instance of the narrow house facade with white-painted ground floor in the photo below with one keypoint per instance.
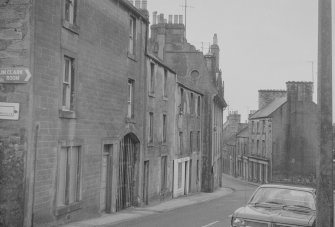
x,y
188,132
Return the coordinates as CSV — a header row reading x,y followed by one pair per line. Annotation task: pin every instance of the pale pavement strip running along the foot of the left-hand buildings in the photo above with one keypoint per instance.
x,y
137,212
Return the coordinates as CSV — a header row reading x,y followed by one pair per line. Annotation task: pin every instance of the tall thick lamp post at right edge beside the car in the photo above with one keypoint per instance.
x,y
324,165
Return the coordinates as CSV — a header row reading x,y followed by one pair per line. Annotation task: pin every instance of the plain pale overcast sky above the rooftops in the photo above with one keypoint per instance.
x,y
263,43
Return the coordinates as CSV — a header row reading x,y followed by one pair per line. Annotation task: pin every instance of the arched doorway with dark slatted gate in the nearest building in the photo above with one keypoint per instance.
x,y
128,172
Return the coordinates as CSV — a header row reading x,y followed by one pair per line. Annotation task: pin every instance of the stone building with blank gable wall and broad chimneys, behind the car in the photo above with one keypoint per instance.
x,y
283,136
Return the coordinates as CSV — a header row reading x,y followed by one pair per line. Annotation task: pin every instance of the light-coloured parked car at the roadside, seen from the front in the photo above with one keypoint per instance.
x,y
273,205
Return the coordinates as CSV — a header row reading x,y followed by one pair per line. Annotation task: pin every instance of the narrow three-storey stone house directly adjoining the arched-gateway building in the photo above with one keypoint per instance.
x,y
160,140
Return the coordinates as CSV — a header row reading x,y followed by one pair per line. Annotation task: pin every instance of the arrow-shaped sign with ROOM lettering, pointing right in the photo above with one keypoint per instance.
x,y
14,75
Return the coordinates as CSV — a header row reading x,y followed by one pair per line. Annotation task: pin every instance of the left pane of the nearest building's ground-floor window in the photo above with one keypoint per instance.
x,y
62,177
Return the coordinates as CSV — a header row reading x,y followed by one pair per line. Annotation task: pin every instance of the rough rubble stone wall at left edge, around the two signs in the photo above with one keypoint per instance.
x,y
15,32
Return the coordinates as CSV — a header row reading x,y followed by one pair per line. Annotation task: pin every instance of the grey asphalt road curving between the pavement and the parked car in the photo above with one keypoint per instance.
x,y
208,214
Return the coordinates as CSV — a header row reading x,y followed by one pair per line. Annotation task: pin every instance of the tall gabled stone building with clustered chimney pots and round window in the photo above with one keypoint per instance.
x,y
197,72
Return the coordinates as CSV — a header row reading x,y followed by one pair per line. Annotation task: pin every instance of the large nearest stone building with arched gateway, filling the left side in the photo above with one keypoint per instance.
x,y
77,147
